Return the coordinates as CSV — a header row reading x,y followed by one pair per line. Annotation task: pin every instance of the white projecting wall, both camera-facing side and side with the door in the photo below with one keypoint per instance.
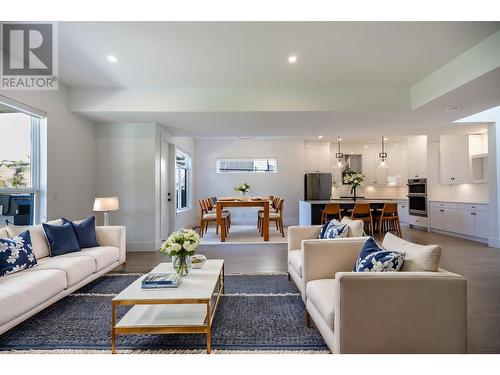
x,y
128,166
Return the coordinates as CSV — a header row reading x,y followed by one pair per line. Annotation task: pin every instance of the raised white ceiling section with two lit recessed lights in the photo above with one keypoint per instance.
x,y
254,54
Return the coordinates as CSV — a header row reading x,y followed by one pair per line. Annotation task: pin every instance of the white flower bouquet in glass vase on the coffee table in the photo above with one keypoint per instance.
x,y
181,246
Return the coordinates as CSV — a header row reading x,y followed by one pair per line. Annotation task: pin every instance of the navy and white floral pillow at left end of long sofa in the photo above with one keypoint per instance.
x,y
16,254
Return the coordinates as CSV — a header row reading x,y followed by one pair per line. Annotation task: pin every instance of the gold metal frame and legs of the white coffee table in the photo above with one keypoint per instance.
x,y
206,328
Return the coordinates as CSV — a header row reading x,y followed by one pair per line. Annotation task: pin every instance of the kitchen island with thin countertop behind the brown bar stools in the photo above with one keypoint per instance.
x,y
310,210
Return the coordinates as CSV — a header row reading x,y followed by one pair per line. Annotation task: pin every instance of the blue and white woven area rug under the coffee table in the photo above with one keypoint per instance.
x,y
258,313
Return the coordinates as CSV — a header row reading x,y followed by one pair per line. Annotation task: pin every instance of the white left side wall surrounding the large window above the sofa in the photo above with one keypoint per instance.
x,y
70,154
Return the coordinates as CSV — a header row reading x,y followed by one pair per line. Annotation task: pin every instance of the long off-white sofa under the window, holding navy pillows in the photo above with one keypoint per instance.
x,y
25,293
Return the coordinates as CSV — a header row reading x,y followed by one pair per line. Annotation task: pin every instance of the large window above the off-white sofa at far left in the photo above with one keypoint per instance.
x,y
19,166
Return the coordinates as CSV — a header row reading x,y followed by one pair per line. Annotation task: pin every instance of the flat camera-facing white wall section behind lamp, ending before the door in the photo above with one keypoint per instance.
x,y
125,167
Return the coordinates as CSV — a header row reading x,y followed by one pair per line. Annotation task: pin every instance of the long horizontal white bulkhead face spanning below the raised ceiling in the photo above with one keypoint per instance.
x,y
238,100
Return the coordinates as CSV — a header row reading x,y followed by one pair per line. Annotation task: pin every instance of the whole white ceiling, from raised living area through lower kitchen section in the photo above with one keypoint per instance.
x,y
248,60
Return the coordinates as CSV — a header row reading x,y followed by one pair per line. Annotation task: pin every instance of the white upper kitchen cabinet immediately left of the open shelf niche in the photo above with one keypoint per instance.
x,y
454,159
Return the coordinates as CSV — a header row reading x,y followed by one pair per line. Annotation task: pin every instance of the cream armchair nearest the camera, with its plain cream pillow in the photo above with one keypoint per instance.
x,y
411,311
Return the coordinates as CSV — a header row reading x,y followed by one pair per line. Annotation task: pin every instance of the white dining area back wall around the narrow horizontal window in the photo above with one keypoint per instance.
x,y
287,182
